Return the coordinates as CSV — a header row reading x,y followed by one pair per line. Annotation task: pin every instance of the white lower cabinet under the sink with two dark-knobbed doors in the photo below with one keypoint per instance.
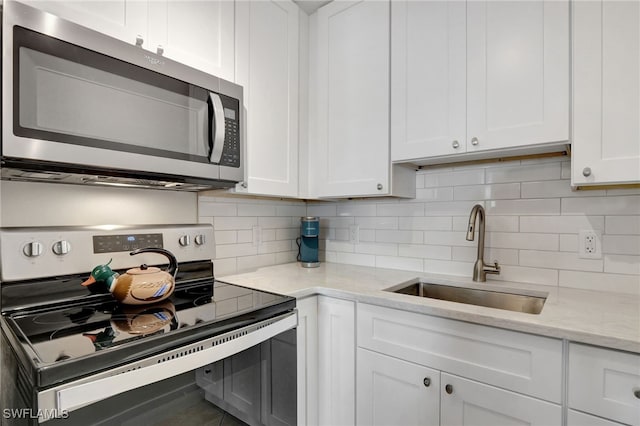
x,y
415,369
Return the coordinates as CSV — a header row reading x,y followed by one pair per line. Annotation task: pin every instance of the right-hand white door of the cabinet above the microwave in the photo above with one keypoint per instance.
x,y
196,33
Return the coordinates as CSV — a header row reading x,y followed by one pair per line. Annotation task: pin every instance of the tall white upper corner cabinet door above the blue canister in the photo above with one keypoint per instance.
x,y
351,154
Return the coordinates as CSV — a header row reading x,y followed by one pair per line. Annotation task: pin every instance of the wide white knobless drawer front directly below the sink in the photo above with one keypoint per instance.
x,y
517,361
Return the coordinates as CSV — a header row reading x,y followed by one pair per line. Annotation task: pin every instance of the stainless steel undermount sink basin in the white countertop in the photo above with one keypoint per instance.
x,y
530,303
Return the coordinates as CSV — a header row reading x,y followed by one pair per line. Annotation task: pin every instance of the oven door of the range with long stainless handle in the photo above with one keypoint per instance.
x,y
245,376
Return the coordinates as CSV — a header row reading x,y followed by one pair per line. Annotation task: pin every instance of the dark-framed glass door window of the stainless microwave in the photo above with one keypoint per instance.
x,y
70,94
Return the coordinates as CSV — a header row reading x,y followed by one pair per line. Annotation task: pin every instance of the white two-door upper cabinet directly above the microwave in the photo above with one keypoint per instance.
x,y
196,33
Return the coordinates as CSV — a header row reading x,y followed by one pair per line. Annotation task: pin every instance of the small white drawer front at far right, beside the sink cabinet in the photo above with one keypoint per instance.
x,y
605,382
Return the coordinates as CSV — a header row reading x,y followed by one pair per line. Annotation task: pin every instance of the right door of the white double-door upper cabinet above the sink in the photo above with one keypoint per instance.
x,y
517,73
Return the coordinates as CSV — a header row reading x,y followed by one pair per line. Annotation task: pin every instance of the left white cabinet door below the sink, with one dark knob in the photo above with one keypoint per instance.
x,y
392,391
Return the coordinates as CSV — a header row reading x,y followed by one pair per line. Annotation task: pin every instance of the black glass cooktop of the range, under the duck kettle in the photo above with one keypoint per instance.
x,y
66,341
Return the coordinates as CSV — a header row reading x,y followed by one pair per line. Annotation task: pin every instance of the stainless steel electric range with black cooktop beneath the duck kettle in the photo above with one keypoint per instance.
x,y
211,353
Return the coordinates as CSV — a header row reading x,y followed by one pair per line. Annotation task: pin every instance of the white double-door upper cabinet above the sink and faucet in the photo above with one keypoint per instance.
x,y
478,77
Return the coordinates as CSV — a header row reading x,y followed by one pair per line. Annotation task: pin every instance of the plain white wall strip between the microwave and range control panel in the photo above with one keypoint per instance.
x,y
44,204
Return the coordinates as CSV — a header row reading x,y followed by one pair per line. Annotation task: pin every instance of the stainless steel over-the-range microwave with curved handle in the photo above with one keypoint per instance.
x,y
82,107
